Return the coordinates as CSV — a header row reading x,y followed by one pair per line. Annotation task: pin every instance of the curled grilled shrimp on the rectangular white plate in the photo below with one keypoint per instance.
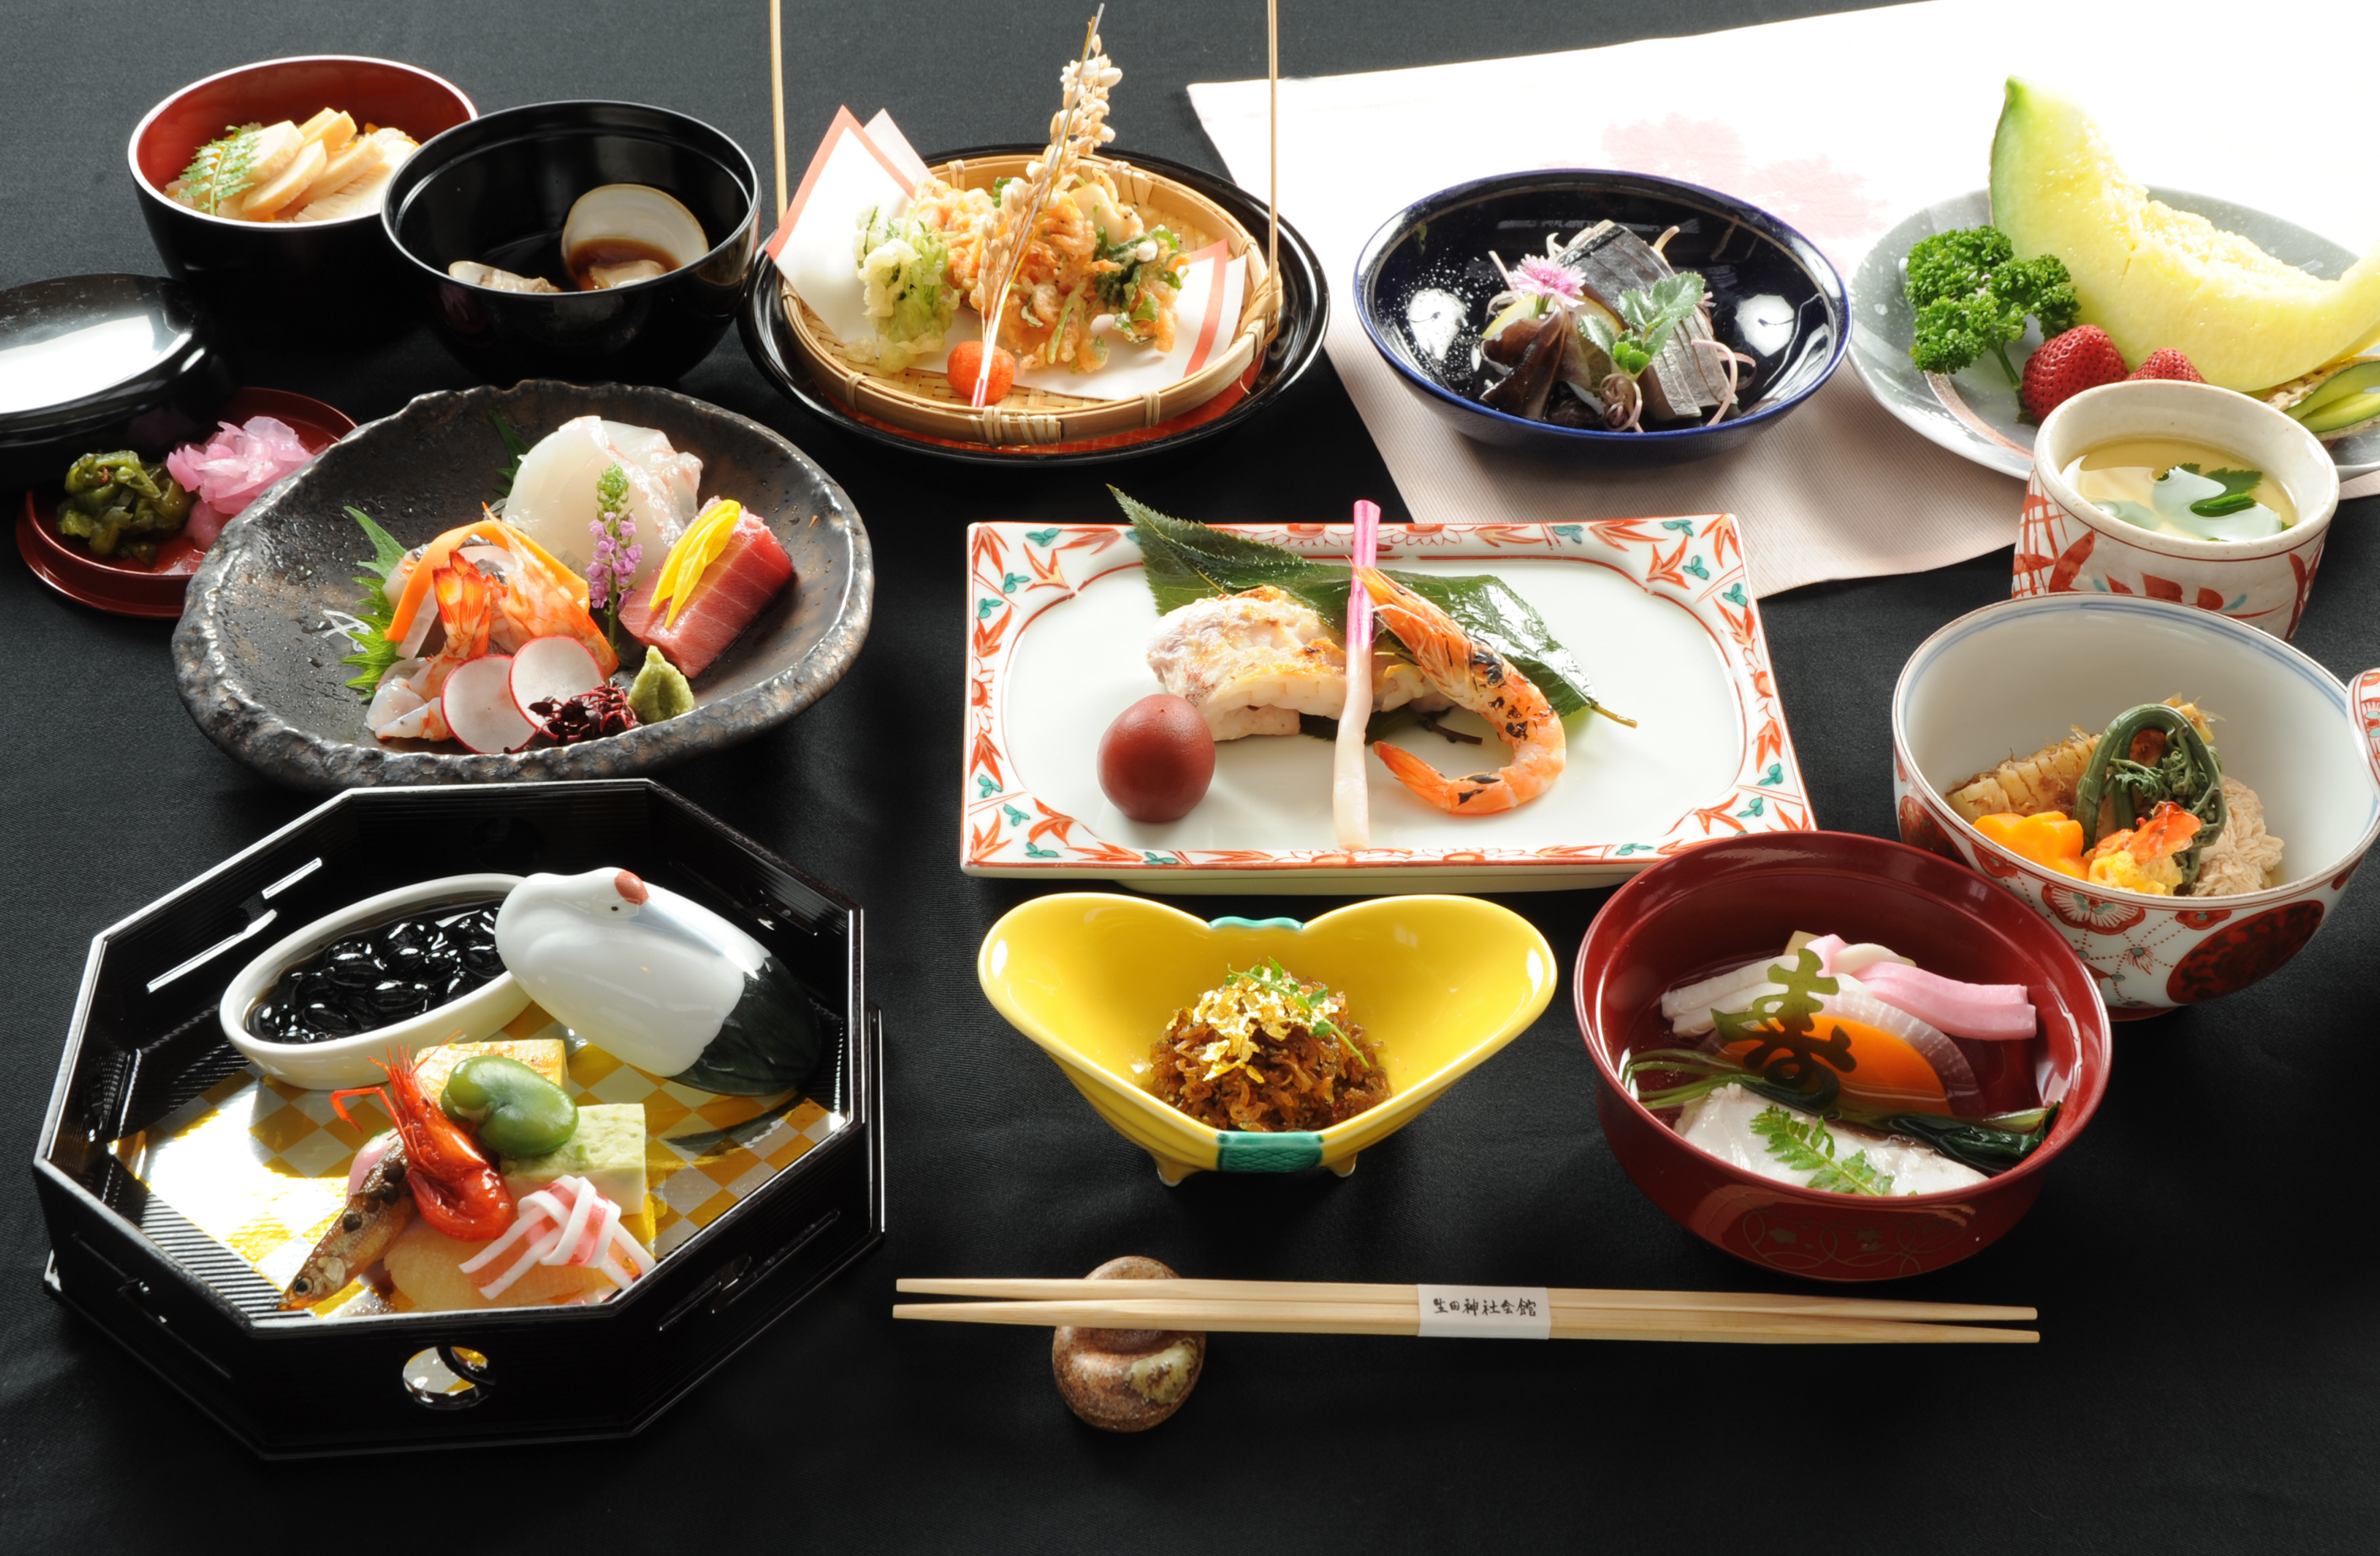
x,y
1482,682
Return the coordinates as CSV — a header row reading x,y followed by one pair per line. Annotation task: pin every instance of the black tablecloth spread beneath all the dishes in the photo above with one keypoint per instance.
x,y
2210,1367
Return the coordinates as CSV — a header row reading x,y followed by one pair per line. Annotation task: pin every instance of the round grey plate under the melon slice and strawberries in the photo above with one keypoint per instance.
x,y
1974,413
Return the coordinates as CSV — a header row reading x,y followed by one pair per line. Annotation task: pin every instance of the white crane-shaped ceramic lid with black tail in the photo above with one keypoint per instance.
x,y
660,981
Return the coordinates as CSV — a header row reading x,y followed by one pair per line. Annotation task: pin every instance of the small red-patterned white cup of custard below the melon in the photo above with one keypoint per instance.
x,y
2072,546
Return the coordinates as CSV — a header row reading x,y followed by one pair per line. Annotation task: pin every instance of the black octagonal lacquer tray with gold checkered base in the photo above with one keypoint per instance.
x,y
146,1041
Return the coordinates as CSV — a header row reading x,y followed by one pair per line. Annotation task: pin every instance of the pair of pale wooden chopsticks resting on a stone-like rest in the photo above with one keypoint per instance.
x,y
1405,1298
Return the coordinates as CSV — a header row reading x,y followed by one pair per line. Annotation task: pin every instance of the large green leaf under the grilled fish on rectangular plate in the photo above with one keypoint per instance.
x,y
1194,563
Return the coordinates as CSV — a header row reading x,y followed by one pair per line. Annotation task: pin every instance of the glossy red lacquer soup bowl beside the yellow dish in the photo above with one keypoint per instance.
x,y
1724,905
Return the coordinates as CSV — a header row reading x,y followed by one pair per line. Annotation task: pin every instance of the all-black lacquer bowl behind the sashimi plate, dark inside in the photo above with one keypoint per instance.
x,y
499,192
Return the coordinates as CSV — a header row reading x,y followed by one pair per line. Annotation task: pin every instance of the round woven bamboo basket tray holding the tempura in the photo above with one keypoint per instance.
x,y
1027,418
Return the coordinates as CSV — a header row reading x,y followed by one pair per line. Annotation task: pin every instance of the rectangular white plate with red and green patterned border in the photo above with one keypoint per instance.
x,y
1658,610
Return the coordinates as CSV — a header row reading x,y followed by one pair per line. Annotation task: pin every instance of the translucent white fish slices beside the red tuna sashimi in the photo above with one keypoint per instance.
x,y
553,494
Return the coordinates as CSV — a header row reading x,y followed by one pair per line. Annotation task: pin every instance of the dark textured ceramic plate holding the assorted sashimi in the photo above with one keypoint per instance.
x,y
258,660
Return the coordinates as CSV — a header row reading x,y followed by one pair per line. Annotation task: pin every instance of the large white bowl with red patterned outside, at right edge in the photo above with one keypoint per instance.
x,y
2019,675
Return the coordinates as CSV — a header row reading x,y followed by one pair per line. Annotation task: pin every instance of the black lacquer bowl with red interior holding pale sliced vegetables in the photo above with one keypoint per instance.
x,y
313,287
